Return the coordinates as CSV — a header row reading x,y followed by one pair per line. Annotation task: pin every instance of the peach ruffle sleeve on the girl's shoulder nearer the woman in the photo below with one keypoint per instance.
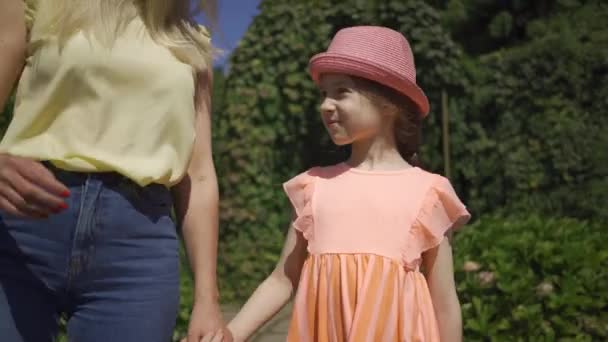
x,y
300,190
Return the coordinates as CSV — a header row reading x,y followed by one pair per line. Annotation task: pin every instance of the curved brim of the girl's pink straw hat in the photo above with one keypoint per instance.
x,y
329,62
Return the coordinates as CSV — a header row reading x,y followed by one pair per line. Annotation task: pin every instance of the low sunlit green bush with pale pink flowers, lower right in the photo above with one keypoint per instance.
x,y
537,279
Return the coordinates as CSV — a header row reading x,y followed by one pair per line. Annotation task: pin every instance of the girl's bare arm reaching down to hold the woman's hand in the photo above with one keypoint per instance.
x,y
274,292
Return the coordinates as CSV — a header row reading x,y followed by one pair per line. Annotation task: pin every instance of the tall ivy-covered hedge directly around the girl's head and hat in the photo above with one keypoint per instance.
x,y
270,129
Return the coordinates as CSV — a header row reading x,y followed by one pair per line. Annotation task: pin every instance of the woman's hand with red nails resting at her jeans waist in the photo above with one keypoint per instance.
x,y
28,189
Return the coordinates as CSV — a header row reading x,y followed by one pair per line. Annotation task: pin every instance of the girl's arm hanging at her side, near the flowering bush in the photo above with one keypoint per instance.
x,y
439,272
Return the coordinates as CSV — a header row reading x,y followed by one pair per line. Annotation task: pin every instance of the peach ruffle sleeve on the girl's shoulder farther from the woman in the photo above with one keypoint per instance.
x,y
440,212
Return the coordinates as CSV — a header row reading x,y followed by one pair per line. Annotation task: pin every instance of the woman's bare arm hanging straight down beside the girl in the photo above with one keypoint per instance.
x,y
196,204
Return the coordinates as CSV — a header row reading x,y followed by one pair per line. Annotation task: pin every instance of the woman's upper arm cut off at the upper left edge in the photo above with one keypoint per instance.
x,y
12,45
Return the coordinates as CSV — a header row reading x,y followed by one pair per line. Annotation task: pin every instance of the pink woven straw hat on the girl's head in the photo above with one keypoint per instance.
x,y
375,53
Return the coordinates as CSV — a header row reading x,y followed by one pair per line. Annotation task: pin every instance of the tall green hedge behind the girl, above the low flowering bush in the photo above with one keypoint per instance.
x,y
526,122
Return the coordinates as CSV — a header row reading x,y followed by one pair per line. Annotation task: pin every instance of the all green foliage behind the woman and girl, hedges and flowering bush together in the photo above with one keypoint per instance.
x,y
528,91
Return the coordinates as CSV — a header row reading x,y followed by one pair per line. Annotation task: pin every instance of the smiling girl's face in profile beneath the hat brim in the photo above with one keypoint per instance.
x,y
348,115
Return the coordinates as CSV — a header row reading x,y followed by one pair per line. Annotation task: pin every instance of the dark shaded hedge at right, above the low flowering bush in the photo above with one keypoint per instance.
x,y
536,115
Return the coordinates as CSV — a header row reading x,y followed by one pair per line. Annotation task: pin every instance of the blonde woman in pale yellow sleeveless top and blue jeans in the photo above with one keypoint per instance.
x,y
111,127
